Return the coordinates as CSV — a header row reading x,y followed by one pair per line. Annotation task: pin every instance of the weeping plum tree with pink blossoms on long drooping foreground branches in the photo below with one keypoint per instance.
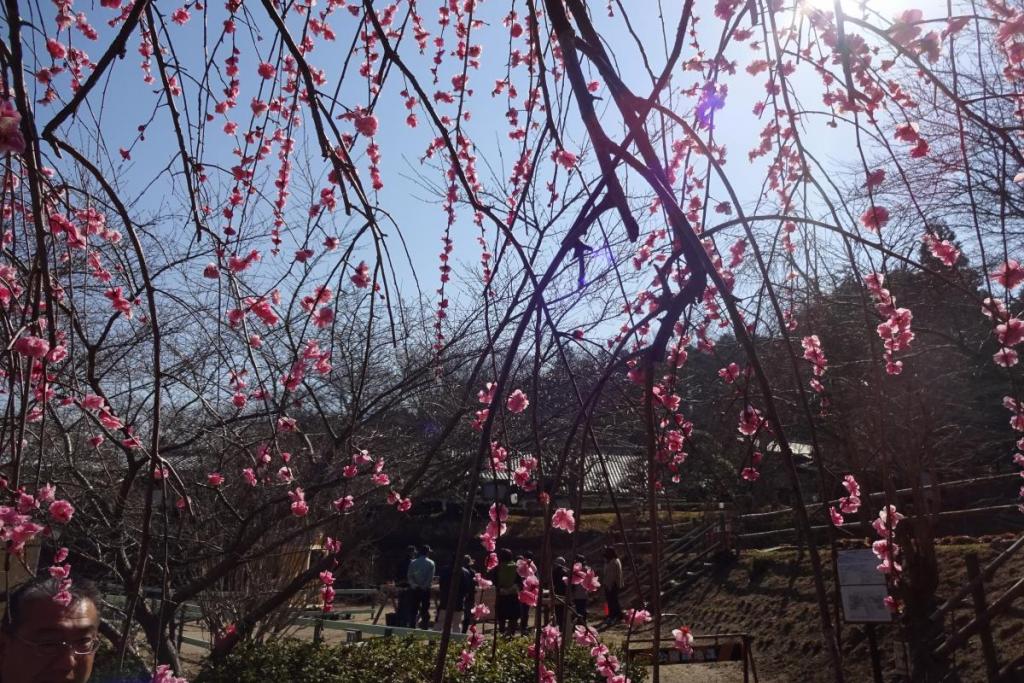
x,y
217,304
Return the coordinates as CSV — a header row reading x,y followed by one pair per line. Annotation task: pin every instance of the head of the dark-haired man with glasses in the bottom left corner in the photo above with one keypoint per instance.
x,y
32,655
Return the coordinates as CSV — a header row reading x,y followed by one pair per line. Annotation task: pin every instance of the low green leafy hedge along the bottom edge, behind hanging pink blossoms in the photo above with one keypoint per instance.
x,y
388,661
